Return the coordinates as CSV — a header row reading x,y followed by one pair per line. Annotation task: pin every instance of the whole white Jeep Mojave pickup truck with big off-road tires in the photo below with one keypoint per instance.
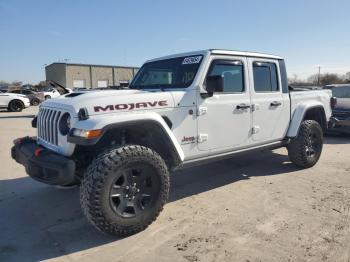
x,y
180,110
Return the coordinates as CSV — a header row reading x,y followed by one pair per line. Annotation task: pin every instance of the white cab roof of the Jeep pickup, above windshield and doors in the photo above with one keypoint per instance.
x,y
220,52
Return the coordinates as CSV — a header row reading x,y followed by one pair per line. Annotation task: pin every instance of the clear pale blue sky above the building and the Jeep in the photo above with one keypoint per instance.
x,y
308,33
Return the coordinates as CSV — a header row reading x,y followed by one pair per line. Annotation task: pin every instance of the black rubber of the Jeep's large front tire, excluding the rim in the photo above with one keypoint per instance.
x,y
93,181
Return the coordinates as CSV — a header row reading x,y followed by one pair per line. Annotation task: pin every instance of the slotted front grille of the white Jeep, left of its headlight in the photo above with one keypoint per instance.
x,y
48,125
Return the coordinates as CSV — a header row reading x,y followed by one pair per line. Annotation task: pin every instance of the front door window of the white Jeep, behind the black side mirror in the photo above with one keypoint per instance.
x,y
232,72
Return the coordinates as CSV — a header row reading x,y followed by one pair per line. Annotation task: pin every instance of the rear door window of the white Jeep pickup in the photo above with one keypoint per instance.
x,y
265,77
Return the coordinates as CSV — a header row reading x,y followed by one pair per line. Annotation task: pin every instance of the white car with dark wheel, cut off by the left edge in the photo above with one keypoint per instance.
x,y
14,102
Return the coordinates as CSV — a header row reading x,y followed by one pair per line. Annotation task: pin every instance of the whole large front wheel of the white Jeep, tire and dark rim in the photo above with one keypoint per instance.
x,y
124,189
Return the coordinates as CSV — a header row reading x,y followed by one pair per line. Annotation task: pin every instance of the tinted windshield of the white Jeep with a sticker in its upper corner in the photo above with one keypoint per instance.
x,y
169,73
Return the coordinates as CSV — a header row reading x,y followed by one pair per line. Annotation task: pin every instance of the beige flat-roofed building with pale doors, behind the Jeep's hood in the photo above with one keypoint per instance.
x,y
89,76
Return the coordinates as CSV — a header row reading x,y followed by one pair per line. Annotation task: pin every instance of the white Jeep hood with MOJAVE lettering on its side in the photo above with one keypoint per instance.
x,y
112,101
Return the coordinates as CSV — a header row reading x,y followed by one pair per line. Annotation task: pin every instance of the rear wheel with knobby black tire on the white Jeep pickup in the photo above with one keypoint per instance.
x,y
309,138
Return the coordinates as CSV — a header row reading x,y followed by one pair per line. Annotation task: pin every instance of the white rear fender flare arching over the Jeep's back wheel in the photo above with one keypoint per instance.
x,y
303,112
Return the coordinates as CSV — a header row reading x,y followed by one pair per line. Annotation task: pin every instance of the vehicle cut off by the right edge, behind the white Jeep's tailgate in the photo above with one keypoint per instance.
x,y
341,111
